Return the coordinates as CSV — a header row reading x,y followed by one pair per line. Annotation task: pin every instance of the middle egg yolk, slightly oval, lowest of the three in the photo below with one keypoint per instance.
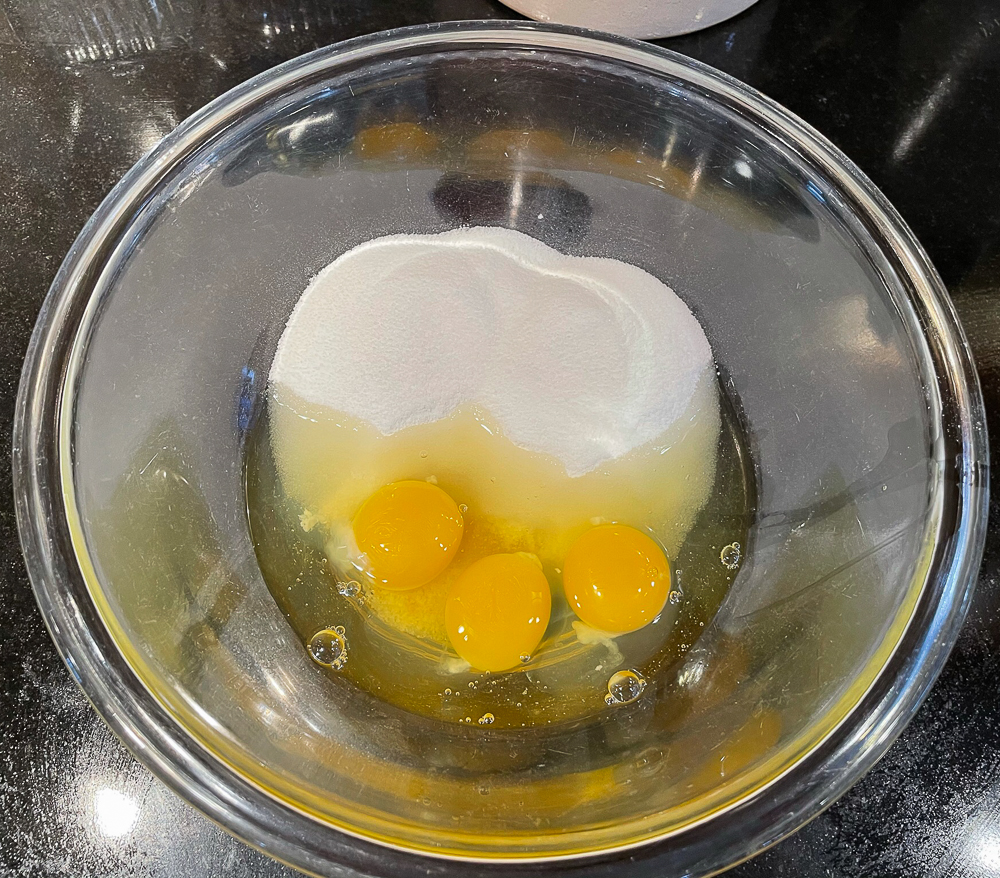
x,y
497,611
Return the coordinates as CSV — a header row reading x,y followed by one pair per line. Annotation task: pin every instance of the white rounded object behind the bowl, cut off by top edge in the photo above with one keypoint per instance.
x,y
644,19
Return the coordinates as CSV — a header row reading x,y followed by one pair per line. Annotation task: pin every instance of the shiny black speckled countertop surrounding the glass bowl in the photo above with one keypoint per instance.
x,y
910,89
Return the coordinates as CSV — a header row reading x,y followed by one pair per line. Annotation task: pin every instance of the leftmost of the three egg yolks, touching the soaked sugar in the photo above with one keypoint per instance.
x,y
407,533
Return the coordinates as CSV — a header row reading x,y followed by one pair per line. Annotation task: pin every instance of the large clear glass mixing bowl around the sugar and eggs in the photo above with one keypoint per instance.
x,y
830,328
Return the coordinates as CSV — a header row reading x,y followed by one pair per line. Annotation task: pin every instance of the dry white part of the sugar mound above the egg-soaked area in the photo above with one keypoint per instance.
x,y
580,358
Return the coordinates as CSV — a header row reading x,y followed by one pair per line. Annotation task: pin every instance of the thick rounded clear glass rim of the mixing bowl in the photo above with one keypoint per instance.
x,y
282,831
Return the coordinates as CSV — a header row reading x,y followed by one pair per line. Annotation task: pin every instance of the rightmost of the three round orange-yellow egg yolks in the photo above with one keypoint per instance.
x,y
616,578
